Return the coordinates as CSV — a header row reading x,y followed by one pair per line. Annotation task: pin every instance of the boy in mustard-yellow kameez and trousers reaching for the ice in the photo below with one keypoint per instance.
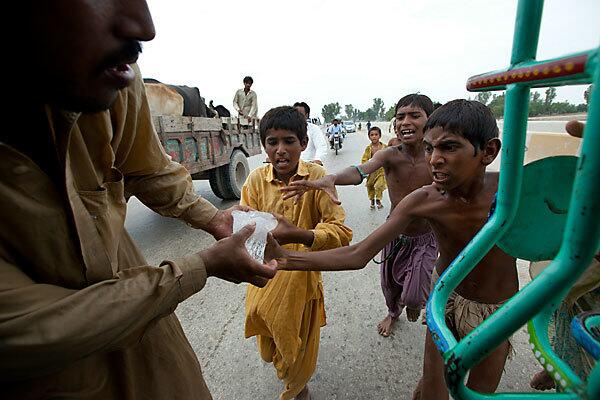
x,y
288,313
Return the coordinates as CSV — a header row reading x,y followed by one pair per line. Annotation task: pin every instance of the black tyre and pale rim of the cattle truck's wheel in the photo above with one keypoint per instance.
x,y
227,180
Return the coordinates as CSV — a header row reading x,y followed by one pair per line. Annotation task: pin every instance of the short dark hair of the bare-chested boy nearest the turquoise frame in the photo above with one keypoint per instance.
x,y
468,118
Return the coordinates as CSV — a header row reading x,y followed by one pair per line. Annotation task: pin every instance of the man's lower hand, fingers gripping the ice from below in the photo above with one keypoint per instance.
x,y
229,260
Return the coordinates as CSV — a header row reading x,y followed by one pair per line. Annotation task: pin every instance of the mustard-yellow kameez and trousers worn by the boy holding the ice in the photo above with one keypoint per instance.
x,y
288,313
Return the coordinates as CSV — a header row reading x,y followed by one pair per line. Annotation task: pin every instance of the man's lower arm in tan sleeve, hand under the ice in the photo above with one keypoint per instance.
x,y
45,327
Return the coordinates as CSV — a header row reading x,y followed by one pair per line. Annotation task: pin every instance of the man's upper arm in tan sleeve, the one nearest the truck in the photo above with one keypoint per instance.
x,y
161,184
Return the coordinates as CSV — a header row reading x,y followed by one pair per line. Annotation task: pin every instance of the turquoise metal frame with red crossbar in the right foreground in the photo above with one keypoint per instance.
x,y
581,238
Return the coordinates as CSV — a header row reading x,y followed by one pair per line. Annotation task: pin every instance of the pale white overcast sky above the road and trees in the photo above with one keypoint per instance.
x,y
350,51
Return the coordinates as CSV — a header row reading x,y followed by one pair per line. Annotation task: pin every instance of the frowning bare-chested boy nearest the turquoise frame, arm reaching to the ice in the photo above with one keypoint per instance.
x,y
461,139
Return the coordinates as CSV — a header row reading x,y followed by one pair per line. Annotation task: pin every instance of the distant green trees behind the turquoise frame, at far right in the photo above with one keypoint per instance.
x,y
537,104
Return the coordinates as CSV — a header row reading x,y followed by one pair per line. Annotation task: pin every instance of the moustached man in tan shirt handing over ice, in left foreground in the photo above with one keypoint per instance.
x,y
82,314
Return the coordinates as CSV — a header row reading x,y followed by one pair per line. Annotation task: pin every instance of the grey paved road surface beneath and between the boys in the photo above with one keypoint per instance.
x,y
354,361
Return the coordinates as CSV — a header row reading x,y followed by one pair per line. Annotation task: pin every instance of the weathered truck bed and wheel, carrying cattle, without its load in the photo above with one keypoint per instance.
x,y
211,148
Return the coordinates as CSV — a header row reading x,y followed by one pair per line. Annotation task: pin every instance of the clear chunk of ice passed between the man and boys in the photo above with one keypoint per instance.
x,y
265,223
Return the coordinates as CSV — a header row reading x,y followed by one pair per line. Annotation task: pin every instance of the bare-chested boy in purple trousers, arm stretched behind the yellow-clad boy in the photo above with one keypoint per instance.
x,y
409,258
